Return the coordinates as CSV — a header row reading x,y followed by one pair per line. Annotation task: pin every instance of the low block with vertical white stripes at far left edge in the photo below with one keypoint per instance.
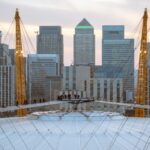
x,y
7,85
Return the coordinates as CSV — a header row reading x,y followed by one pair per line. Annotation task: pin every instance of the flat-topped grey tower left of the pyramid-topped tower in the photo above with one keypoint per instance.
x,y
50,41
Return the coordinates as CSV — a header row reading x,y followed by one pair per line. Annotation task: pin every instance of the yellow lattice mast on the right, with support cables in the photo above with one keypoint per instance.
x,y
141,93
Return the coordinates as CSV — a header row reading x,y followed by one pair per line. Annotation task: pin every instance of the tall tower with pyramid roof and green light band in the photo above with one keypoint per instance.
x,y
84,44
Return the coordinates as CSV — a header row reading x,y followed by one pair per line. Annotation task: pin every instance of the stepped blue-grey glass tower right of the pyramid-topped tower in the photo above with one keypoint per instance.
x,y
118,51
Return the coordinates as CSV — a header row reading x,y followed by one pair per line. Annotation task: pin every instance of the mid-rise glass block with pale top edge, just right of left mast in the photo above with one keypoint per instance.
x,y
43,76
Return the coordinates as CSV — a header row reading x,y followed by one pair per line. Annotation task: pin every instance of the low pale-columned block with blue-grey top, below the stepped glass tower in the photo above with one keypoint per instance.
x,y
110,81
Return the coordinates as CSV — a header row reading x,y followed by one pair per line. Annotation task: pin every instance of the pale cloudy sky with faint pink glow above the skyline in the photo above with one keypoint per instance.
x,y
68,13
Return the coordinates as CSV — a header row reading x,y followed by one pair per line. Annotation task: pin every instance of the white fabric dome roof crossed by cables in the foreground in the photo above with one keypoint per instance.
x,y
75,131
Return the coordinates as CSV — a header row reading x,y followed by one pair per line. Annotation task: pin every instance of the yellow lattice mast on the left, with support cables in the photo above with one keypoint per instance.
x,y
20,76
